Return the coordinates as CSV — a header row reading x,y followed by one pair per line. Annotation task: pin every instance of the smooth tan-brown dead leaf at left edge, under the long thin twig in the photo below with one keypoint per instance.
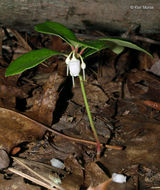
x,y
16,128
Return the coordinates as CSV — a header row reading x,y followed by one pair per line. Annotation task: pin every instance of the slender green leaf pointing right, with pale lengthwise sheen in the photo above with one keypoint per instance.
x,y
124,43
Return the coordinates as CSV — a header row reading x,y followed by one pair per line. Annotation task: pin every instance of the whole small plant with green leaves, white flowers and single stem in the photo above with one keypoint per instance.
x,y
75,60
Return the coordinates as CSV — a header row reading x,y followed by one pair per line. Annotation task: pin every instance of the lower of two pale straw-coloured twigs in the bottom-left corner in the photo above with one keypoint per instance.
x,y
31,179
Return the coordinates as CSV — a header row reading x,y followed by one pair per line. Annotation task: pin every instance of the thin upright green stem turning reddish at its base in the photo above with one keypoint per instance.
x,y
89,115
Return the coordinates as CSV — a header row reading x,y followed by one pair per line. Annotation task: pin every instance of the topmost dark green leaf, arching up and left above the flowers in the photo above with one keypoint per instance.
x,y
57,29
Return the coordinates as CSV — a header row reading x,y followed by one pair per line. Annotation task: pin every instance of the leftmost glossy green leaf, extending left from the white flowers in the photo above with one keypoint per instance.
x,y
29,60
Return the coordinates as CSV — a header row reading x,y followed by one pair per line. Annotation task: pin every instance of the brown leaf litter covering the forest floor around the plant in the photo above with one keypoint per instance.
x,y
123,93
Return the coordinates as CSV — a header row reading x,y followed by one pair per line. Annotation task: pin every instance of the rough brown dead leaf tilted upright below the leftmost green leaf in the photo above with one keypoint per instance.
x,y
44,100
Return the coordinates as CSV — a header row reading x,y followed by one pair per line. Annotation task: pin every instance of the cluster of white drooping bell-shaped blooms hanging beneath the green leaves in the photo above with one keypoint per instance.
x,y
74,67
